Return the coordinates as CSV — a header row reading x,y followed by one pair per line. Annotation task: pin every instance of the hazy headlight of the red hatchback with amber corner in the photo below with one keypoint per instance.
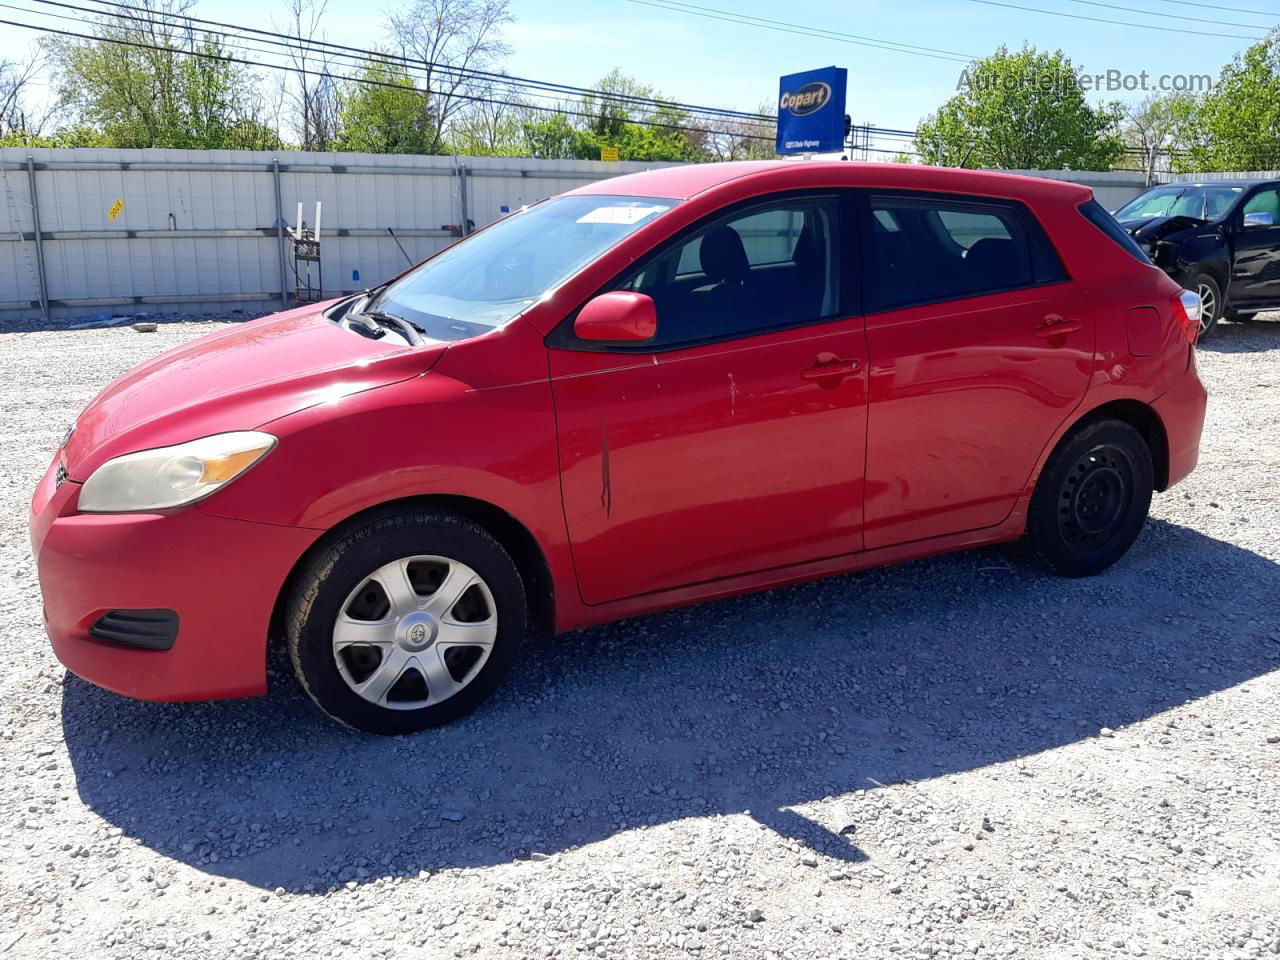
x,y
172,477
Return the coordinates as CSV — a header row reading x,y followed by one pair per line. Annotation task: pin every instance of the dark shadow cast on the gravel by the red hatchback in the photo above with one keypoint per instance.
x,y
764,703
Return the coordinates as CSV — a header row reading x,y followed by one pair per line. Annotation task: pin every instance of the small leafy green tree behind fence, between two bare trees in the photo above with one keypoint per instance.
x,y
382,113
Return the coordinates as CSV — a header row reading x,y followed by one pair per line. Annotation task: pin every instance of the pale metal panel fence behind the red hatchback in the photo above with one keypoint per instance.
x,y
198,230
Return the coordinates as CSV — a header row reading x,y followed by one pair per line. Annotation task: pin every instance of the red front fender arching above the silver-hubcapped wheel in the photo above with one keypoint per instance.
x,y
436,435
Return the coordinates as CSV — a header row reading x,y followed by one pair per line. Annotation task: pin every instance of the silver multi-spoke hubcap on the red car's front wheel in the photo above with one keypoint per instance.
x,y
415,632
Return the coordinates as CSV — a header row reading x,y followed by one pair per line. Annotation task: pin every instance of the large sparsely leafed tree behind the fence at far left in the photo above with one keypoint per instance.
x,y
149,81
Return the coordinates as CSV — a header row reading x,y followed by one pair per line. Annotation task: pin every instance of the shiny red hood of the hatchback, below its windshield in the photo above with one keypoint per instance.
x,y
237,380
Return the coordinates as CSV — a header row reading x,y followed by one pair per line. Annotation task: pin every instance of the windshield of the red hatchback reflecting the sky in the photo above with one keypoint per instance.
x,y
492,277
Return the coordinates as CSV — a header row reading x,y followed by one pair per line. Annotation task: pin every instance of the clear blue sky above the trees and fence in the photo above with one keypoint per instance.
x,y
728,65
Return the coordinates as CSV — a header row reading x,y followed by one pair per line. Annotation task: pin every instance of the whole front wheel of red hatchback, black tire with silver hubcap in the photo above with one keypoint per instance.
x,y
445,653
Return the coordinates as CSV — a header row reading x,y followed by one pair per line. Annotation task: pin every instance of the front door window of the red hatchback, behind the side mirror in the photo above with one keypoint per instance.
x,y
758,269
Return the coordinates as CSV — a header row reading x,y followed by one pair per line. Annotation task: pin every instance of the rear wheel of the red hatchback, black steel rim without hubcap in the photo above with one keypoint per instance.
x,y
1092,499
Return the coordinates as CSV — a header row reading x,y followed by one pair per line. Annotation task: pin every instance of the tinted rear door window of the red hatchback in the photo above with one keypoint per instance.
x,y
925,250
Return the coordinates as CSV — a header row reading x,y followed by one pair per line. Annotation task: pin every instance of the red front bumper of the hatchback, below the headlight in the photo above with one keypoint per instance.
x,y
221,577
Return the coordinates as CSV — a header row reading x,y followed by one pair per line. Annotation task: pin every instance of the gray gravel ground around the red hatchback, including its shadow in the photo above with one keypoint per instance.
x,y
959,757
